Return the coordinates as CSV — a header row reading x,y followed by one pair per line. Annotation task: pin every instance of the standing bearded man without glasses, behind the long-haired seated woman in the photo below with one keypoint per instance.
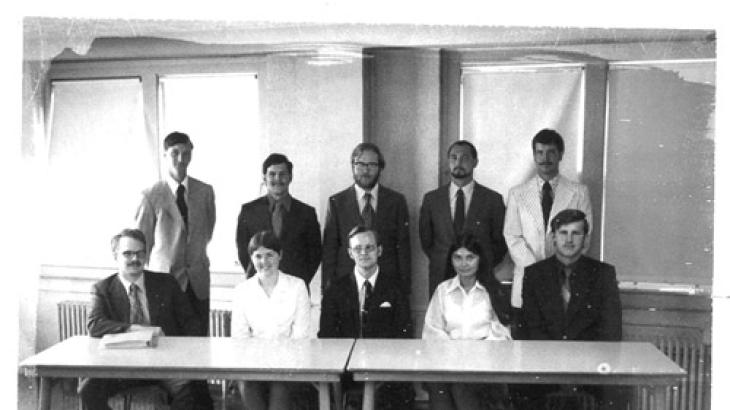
x,y
461,206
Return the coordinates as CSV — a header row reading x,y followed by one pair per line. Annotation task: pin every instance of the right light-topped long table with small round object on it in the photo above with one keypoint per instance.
x,y
465,361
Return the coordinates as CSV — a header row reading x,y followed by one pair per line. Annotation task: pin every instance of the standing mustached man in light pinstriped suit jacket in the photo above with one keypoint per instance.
x,y
530,207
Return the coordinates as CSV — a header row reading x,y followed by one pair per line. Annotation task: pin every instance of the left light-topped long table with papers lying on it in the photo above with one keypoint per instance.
x,y
320,361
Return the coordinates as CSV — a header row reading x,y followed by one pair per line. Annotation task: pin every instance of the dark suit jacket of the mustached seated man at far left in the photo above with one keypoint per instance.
x,y
168,306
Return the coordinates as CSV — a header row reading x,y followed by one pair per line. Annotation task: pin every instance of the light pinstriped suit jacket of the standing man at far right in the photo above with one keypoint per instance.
x,y
524,230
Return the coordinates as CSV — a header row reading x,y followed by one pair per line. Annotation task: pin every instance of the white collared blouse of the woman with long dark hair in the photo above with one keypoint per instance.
x,y
454,313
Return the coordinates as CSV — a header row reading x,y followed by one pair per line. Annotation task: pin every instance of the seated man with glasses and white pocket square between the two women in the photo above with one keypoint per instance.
x,y
368,303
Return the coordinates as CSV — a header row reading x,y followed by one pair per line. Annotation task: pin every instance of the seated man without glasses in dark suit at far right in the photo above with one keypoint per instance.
x,y
570,296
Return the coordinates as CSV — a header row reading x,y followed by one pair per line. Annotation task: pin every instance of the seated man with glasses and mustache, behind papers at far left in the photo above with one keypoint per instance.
x,y
134,299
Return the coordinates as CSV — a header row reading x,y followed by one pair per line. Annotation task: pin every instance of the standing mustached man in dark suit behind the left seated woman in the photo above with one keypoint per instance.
x,y
292,221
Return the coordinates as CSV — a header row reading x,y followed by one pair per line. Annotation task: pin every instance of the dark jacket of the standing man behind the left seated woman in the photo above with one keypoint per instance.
x,y
300,236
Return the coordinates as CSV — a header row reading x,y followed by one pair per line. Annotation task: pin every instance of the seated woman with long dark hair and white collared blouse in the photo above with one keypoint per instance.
x,y
467,306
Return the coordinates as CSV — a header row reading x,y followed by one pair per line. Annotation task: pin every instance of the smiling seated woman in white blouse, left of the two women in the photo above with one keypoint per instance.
x,y
269,305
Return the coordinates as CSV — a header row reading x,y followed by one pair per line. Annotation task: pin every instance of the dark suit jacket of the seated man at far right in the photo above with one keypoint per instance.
x,y
594,310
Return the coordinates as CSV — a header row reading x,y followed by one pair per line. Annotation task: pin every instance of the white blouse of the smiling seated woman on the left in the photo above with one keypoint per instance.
x,y
283,314
